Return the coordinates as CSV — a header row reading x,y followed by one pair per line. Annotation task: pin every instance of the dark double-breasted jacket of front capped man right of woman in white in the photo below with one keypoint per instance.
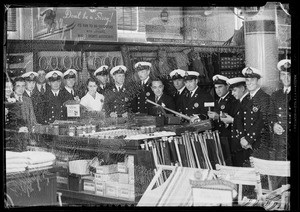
x,y
117,101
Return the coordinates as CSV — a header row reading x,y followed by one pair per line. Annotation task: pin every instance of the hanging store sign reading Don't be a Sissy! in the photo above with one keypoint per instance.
x,y
76,24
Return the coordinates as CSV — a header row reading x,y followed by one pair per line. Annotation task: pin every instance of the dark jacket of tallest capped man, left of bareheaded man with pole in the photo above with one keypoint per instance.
x,y
143,92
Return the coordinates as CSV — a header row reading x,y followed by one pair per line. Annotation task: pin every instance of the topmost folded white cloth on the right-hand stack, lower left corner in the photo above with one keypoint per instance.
x,y
35,157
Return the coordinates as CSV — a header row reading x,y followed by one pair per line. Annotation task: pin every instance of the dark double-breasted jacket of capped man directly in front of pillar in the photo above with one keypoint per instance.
x,y
255,125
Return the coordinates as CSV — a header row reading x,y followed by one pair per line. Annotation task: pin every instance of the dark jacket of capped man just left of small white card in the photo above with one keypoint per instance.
x,y
195,104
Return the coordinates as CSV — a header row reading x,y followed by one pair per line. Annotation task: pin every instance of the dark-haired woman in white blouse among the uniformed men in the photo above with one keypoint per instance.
x,y
93,100
